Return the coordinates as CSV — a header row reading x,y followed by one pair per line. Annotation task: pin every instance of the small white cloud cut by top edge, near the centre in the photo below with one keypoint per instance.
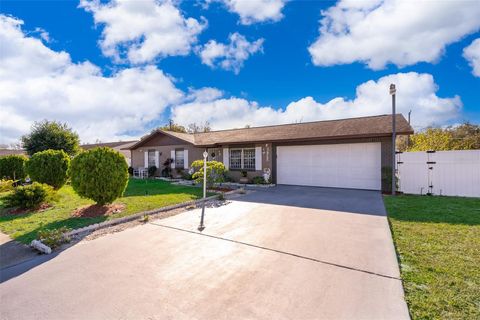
x,y
253,11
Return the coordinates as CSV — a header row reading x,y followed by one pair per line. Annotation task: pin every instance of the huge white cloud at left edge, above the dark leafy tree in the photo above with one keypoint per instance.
x,y
37,83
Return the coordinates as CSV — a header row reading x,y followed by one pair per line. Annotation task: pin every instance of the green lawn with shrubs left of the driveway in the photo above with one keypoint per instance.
x,y
140,195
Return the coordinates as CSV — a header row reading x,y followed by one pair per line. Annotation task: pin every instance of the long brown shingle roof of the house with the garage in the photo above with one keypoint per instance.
x,y
374,126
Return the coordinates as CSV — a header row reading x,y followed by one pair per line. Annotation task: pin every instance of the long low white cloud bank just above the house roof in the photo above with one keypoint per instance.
x,y
414,91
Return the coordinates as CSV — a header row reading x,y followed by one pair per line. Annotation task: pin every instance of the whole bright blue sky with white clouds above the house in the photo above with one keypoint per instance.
x,y
433,75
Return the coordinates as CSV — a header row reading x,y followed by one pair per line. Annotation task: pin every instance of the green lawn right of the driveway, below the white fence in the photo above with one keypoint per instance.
x,y
438,243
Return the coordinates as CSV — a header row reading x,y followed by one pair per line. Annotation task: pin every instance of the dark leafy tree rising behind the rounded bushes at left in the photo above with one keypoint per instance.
x,y
51,135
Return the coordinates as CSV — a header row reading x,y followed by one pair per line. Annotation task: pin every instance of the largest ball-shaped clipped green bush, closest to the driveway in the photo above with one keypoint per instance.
x,y
100,174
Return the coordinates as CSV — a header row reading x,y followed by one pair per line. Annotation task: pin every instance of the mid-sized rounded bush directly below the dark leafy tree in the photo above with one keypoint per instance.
x,y
50,167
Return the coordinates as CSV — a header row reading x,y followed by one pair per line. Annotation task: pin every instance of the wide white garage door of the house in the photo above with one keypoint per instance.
x,y
355,165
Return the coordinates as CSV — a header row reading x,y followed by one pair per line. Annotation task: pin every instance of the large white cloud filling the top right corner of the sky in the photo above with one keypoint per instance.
x,y
379,32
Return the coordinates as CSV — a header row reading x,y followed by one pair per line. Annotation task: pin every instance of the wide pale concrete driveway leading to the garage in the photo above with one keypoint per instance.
x,y
281,253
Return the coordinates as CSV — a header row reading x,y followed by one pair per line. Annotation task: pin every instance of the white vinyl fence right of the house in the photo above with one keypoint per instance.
x,y
449,173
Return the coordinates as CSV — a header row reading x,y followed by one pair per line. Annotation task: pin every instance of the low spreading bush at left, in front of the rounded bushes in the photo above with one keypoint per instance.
x,y
30,196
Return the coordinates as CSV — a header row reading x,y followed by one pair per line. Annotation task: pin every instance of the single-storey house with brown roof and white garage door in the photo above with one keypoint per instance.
x,y
347,153
